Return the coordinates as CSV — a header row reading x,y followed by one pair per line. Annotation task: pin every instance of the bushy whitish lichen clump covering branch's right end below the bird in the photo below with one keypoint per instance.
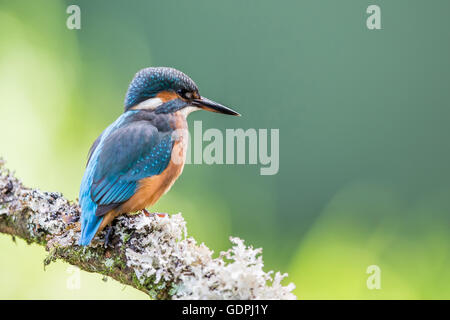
x,y
164,252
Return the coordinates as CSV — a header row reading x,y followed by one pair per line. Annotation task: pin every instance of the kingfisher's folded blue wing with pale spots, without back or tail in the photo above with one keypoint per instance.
x,y
128,155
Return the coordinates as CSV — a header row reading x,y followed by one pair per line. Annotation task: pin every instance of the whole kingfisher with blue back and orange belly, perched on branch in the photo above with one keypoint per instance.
x,y
140,155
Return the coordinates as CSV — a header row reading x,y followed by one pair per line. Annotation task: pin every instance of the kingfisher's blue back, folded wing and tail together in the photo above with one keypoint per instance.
x,y
119,161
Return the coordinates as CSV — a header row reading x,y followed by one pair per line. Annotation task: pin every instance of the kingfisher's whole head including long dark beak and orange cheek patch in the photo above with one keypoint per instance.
x,y
167,90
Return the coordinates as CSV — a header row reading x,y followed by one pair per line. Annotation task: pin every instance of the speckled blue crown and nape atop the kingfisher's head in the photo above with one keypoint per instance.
x,y
149,81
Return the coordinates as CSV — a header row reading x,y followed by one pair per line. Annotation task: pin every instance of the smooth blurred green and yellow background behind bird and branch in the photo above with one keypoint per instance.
x,y
363,118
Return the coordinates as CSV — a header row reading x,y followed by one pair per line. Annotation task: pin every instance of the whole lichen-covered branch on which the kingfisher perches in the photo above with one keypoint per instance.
x,y
152,254
